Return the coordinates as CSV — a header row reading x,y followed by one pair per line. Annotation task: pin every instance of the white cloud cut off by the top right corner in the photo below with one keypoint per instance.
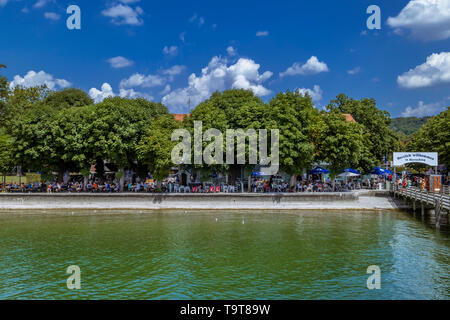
x,y
425,19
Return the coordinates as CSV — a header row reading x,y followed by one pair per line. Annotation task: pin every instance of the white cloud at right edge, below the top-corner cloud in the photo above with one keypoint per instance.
x,y
435,71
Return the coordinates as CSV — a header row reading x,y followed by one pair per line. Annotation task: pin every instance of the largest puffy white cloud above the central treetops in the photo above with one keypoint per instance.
x,y
218,76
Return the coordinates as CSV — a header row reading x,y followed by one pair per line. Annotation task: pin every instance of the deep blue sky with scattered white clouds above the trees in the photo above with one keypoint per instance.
x,y
177,51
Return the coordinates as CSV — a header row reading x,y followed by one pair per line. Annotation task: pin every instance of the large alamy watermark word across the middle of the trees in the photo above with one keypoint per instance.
x,y
213,153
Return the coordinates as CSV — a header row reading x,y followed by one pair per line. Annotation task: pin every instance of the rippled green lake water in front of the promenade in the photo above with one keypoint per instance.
x,y
211,255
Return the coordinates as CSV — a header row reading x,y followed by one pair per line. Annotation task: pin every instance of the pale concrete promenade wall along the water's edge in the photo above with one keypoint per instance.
x,y
357,200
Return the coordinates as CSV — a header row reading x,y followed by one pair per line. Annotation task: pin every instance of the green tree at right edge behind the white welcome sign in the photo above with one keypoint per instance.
x,y
434,136
